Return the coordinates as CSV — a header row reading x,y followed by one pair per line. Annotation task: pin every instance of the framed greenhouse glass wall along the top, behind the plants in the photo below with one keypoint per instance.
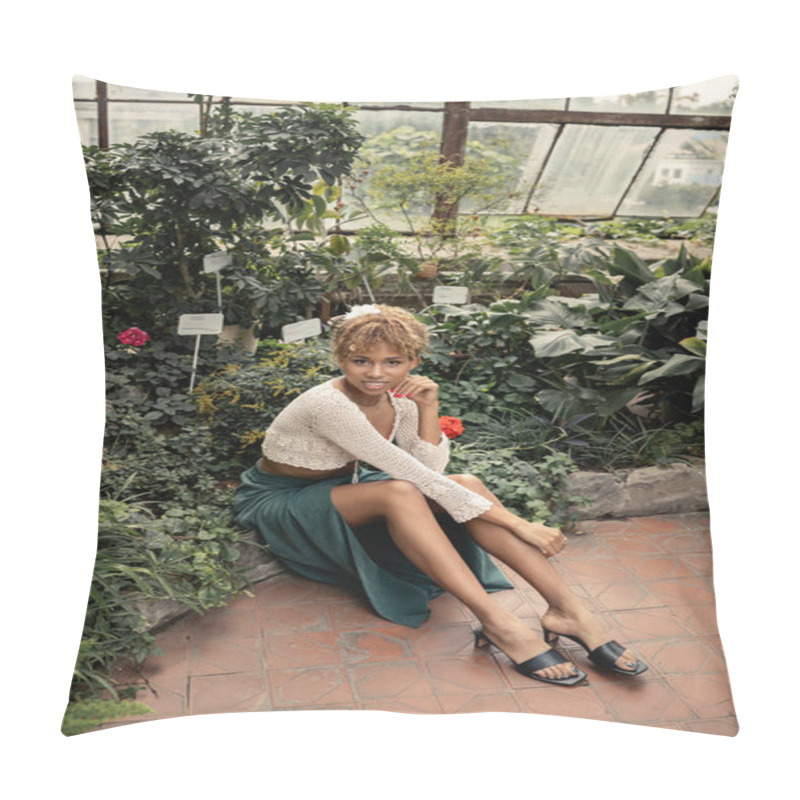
x,y
650,154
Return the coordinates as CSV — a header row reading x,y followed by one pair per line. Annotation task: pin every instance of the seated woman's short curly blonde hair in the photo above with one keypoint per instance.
x,y
388,325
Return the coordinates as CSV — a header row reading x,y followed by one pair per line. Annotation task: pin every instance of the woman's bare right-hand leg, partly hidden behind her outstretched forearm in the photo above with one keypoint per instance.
x,y
566,613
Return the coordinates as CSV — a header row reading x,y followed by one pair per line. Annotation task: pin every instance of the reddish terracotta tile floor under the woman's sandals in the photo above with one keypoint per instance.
x,y
296,644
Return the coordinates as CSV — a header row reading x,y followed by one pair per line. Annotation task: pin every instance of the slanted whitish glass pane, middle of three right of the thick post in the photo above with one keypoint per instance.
x,y
589,169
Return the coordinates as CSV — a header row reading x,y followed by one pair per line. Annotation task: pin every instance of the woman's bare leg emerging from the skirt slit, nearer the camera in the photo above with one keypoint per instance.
x,y
415,531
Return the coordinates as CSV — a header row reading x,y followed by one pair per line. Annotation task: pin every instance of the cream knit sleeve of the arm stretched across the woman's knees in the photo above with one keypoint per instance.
x,y
341,421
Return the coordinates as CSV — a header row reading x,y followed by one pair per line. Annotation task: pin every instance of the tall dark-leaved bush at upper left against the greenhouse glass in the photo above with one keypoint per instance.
x,y
174,198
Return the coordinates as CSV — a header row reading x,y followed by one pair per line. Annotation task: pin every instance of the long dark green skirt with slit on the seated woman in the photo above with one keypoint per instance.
x,y
303,529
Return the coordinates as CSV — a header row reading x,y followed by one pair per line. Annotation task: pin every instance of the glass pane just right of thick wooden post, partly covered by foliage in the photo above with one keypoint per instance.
x,y
519,150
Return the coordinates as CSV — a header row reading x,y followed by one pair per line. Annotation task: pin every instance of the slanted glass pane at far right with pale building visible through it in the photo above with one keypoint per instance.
x,y
681,175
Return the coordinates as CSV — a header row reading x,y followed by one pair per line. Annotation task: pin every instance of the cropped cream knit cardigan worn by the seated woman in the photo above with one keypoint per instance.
x,y
323,429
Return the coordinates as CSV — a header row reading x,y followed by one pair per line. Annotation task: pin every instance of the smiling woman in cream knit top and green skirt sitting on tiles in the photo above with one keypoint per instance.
x,y
401,530
